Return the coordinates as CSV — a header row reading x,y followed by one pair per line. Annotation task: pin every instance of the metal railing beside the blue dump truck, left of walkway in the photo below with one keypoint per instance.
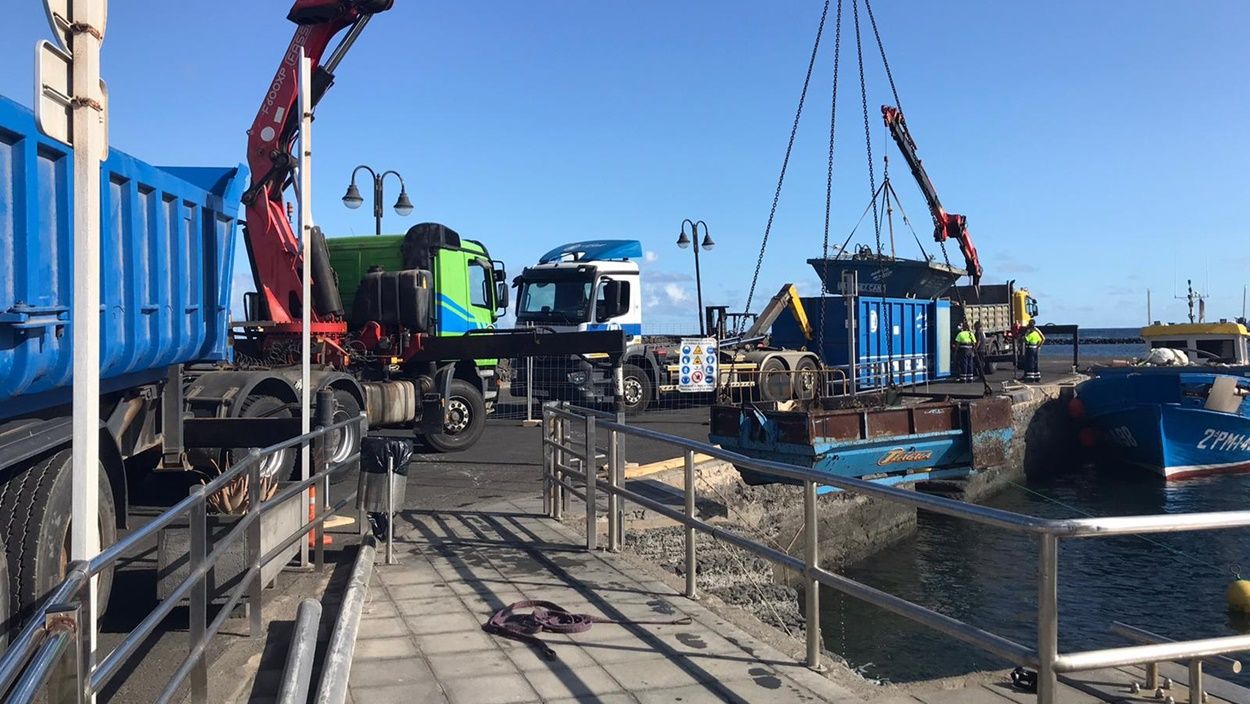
x,y
56,630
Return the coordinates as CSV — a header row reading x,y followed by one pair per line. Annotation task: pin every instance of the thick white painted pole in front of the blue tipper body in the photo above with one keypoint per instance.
x,y
88,136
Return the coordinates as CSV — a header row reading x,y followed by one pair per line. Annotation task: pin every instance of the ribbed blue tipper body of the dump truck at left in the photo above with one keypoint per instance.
x,y
167,259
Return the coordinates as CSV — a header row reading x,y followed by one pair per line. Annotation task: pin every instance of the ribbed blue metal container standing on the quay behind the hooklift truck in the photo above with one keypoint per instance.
x,y
899,333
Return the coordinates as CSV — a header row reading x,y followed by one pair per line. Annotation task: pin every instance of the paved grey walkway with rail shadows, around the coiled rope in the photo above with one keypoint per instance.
x,y
421,638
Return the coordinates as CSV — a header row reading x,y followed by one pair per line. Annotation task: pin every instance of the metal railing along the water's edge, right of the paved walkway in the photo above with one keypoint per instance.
x,y
567,458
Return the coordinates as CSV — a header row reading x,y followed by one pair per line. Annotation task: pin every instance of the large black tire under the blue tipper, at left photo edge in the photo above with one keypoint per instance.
x,y
36,510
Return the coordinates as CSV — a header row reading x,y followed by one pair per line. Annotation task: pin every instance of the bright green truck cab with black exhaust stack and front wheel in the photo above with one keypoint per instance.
x,y
469,292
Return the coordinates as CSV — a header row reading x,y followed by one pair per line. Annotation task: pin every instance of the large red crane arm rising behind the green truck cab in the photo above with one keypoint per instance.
x,y
272,244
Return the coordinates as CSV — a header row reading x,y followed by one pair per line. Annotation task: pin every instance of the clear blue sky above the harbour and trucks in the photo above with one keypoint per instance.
x,y
1098,149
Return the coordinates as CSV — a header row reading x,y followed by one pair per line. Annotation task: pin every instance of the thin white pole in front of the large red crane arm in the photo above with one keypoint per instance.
x,y
306,196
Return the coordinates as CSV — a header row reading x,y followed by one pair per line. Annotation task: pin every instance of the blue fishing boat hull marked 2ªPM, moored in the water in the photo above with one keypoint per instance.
x,y
1177,422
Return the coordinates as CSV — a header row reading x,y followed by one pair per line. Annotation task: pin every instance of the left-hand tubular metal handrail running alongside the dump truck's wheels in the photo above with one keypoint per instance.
x,y
27,663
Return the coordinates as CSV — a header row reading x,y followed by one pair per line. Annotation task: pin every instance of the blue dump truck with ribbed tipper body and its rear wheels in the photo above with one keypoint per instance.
x,y
168,238
